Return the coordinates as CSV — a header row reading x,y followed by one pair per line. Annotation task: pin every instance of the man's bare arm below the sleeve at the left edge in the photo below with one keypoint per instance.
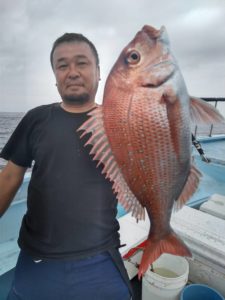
x,y
11,178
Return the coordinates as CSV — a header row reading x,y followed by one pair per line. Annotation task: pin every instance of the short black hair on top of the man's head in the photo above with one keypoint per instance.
x,y
73,37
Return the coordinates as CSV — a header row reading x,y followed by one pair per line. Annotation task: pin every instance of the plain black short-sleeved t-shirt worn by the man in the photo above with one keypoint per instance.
x,y
71,209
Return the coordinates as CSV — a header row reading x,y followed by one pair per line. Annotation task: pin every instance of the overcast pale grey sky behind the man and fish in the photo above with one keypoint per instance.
x,y
196,29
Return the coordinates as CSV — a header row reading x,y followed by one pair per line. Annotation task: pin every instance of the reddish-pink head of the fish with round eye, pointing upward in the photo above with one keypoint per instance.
x,y
145,62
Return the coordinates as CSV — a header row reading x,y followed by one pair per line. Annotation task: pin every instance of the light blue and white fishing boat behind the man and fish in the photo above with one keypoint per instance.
x,y
200,223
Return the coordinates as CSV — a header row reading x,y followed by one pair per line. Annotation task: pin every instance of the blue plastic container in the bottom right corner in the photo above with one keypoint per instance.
x,y
200,292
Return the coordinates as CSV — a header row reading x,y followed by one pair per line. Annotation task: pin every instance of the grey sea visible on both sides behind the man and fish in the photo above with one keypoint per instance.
x,y
9,121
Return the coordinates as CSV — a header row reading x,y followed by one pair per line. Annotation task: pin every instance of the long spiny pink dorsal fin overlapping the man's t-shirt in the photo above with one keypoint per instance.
x,y
103,153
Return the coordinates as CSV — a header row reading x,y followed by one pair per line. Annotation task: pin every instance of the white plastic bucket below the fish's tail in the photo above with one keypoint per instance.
x,y
167,286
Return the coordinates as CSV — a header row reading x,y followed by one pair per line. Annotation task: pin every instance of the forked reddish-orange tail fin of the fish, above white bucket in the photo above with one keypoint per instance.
x,y
154,248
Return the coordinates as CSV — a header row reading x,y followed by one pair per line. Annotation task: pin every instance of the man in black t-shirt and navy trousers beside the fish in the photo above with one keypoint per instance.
x,y
69,235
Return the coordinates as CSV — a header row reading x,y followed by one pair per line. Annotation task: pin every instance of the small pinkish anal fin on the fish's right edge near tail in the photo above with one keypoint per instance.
x,y
190,187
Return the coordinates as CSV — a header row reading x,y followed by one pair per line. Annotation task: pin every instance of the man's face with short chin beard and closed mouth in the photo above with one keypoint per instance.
x,y
76,72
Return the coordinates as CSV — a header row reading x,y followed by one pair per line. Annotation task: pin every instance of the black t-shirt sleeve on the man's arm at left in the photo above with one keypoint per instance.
x,y
18,149
